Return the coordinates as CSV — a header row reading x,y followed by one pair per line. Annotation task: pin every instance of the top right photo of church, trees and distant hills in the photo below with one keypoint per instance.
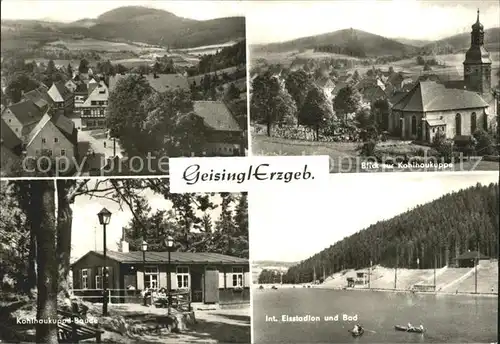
x,y
378,86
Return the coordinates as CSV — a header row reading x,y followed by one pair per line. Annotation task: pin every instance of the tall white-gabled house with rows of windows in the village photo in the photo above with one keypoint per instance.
x,y
93,109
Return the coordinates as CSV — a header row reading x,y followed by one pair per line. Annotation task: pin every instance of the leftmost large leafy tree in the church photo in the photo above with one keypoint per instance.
x,y
270,103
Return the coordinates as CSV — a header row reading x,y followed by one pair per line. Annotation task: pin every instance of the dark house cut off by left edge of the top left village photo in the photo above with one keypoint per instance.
x,y
10,149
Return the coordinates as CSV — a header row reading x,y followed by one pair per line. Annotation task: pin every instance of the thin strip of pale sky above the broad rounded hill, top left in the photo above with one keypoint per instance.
x,y
70,10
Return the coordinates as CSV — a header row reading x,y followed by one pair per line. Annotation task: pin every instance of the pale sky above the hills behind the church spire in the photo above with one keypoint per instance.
x,y
279,21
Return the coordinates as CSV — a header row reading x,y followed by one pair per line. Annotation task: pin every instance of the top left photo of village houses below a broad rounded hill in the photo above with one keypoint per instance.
x,y
116,88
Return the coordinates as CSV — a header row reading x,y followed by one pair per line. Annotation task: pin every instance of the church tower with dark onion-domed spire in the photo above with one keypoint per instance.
x,y
477,64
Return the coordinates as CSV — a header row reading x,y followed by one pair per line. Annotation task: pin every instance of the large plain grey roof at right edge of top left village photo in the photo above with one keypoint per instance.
x,y
216,115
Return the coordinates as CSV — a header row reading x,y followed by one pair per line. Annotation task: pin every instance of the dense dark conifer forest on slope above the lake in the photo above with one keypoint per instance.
x,y
437,231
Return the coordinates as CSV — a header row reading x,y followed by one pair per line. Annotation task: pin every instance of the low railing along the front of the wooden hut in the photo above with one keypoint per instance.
x,y
179,299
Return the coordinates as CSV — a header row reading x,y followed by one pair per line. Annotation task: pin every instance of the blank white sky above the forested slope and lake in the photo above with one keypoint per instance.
x,y
291,226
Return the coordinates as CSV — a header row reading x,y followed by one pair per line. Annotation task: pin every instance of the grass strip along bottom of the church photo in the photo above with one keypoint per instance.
x,y
344,156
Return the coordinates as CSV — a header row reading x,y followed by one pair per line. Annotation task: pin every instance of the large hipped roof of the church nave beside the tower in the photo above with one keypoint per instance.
x,y
431,96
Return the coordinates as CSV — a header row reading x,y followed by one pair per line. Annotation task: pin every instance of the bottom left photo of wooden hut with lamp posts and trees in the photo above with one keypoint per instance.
x,y
122,261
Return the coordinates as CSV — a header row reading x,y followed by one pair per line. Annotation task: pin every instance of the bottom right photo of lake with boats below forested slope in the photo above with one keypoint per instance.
x,y
377,258
